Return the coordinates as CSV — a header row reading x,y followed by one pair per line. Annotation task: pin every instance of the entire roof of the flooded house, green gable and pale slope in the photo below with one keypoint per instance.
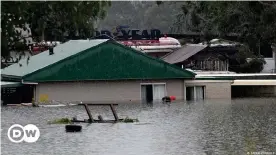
x,y
94,60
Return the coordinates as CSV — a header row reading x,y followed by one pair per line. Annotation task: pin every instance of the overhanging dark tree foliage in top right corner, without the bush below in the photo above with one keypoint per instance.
x,y
253,22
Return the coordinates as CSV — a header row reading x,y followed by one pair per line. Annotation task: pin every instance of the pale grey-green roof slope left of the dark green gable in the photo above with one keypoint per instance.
x,y
43,59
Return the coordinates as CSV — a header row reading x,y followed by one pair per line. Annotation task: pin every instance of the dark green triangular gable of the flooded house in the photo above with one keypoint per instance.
x,y
108,61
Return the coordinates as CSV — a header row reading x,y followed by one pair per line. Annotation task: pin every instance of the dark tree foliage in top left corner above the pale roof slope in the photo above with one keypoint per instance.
x,y
49,20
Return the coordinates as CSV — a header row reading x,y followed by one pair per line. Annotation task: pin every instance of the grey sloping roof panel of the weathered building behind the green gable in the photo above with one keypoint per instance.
x,y
183,53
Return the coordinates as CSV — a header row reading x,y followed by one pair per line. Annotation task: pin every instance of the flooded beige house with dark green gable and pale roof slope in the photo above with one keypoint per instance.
x,y
93,70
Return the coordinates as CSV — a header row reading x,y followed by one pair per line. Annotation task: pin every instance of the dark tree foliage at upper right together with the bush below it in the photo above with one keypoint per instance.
x,y
253,22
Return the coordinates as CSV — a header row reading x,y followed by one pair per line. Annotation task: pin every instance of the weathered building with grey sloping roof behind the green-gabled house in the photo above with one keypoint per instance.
x,y
202,57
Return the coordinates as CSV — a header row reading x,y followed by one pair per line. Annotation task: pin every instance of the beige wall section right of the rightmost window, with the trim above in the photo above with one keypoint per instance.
x,y
214,89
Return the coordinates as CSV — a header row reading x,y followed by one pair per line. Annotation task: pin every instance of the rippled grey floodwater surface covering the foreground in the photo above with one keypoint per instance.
x,y
209,127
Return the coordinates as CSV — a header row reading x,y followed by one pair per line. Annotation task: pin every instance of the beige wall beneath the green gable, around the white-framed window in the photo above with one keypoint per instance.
x,y
102,91
